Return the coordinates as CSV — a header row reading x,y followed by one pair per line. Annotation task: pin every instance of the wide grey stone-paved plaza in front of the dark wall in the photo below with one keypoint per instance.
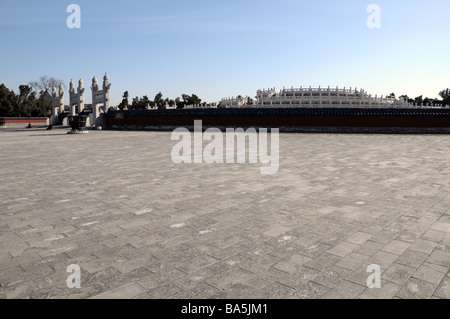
x,y
140,226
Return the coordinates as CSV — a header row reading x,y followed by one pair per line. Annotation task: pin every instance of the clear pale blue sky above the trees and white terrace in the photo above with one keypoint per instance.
x,y
224,48
